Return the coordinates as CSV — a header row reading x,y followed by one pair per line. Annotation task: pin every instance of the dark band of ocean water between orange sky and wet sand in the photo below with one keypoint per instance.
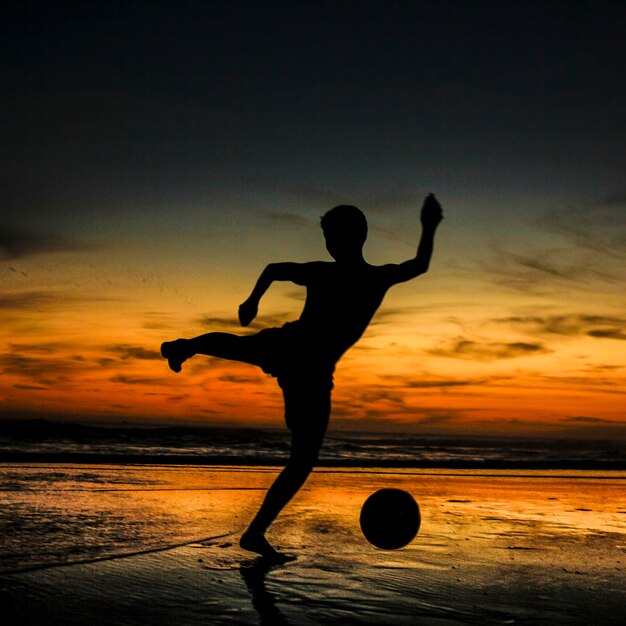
x,y
42,441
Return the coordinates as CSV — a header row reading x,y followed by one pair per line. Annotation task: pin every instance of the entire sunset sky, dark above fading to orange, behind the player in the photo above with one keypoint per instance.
x,y
156,155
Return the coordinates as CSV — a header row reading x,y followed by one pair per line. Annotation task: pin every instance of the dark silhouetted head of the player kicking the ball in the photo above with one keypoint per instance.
x,y
345,231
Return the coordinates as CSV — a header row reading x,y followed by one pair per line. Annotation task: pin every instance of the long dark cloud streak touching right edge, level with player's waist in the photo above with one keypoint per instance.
x,y
599,326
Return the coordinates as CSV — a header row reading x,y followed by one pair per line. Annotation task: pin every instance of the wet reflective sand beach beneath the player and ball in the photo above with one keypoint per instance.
x,y
157,545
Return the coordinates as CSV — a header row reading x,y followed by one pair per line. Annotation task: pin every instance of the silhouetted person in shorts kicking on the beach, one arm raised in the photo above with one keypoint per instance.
x,y
341,299
